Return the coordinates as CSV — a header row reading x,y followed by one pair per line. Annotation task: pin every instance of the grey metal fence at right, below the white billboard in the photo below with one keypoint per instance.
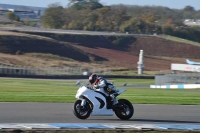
x,y
177,78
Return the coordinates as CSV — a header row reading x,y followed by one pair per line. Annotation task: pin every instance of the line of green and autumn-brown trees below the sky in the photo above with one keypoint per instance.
x,y
93,16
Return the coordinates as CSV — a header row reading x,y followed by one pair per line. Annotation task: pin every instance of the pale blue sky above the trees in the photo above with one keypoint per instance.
x,y
178,4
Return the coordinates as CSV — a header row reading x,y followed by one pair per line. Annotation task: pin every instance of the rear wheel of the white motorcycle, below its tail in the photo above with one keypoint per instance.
x,y
125,111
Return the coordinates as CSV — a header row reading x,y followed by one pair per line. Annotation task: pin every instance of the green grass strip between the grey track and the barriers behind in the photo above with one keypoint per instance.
x,y
27,90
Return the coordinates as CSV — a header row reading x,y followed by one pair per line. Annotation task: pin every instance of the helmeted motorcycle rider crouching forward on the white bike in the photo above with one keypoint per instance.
x,y
101,84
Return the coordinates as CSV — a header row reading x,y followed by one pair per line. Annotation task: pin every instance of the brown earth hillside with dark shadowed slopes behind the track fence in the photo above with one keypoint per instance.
x,y
114,52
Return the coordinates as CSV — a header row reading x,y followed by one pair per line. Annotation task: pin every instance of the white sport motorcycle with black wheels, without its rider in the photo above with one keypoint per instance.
x,y
96,103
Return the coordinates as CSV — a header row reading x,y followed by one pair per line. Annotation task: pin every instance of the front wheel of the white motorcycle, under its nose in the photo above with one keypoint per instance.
x,y
82,112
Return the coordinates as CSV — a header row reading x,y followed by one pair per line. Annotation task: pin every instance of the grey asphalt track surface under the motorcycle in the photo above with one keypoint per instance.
x,y
62,113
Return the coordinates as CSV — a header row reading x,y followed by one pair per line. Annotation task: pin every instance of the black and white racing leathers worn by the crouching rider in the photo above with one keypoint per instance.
x,y
100,86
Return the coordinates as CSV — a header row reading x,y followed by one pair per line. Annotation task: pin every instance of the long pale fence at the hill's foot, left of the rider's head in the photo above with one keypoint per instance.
x,y
71,70
